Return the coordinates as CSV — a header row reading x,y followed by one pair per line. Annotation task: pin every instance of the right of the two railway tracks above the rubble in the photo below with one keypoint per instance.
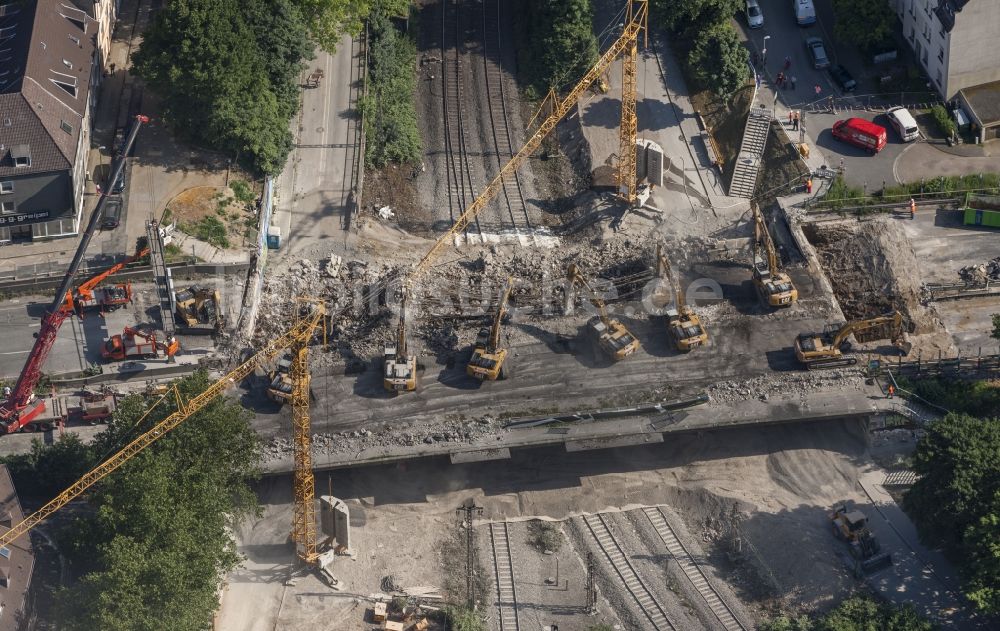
x,y
499,121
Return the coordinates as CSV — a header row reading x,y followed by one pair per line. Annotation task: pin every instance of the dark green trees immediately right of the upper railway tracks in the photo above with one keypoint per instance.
x,y
557,43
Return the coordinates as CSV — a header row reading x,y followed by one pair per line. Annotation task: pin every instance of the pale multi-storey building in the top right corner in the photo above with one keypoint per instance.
x,y
954,41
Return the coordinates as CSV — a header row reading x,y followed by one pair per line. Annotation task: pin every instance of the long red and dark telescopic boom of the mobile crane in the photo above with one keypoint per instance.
x,y
21,407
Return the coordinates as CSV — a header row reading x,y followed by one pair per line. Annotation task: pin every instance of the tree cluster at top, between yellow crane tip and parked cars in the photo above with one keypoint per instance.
x,y
717,58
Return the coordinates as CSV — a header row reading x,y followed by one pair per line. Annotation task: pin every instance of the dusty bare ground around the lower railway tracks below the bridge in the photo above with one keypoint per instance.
x,y
765,487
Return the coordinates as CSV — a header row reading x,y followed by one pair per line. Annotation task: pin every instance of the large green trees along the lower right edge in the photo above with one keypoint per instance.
x,y
955,502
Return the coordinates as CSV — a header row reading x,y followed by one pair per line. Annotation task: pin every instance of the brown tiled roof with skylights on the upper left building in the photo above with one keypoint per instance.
x,y
46,57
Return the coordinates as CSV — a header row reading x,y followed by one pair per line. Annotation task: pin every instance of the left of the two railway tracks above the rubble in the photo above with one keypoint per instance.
x,y
461,192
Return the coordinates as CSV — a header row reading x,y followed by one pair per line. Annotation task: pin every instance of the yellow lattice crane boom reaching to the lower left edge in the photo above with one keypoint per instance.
x,y
300,333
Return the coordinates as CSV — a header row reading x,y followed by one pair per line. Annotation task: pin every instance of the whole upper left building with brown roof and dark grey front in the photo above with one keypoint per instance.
x,y
48,82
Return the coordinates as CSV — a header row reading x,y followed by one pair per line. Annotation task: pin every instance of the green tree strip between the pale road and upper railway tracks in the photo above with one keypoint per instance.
x,y
391,129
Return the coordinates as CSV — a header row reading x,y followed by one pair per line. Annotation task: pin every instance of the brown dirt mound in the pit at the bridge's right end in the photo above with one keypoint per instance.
x,y
871,267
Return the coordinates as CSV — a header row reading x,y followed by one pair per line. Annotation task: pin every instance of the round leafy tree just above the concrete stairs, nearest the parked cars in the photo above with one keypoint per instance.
x,y
719,60
